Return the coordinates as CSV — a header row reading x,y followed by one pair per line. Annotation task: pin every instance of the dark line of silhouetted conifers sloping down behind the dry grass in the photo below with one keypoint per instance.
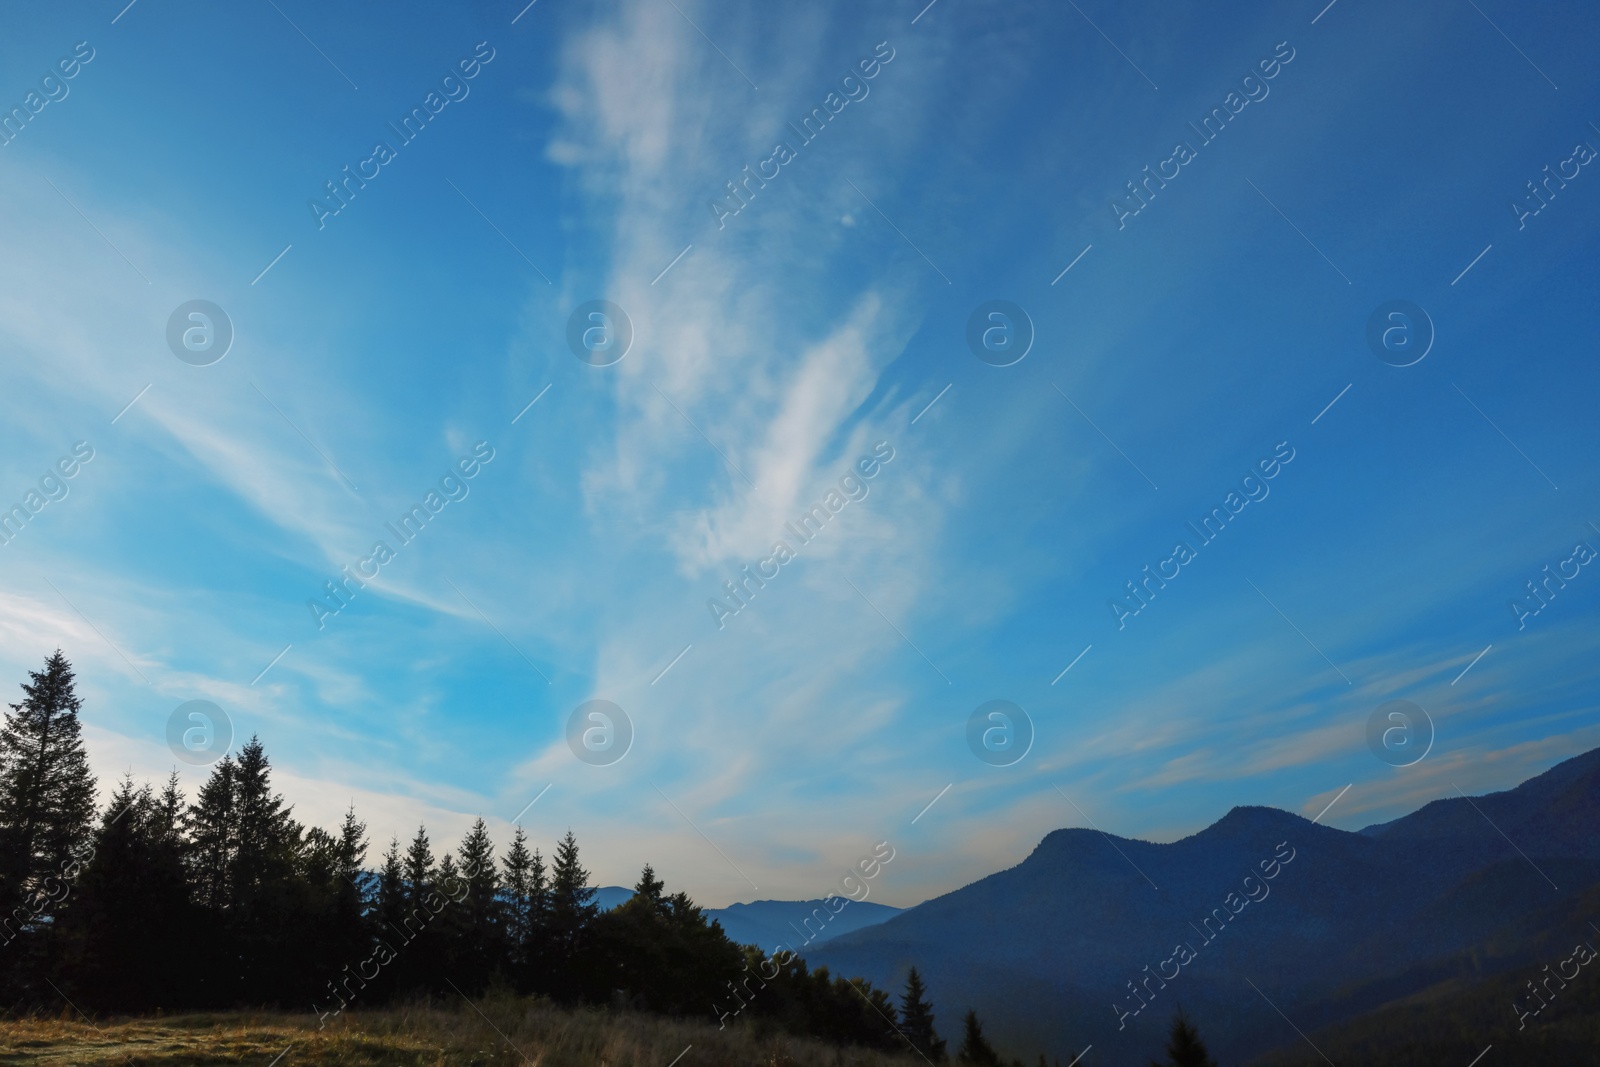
x,y
159,903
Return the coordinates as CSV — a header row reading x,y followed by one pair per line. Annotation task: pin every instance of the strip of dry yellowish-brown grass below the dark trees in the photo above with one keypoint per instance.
x,y
492,1033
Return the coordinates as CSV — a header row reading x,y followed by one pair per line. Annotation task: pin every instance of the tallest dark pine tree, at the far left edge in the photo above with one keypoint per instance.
x,y
47,793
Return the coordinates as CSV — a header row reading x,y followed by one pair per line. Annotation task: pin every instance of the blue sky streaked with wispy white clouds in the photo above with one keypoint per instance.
x,y
1185,345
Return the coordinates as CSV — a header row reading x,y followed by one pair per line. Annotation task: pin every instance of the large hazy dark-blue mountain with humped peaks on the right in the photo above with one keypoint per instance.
x,y
1050,949
